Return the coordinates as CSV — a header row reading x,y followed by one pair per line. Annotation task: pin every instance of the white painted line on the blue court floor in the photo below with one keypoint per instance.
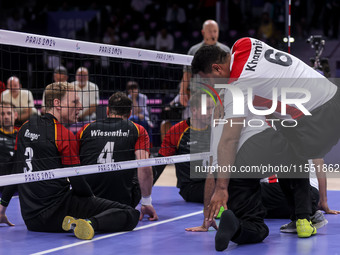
x,y
116,234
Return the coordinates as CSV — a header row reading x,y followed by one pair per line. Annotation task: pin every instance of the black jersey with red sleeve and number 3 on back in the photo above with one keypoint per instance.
x,y
42,144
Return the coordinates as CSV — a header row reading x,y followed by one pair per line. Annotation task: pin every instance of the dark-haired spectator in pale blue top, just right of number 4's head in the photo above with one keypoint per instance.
x,y
140,113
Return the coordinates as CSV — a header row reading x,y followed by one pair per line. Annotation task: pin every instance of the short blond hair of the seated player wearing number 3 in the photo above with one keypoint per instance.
x,y
56,90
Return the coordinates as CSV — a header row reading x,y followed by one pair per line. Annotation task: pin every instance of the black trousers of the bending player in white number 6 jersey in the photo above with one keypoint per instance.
x,y
266,148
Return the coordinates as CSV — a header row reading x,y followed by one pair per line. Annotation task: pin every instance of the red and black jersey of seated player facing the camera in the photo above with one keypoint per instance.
x,y
184,139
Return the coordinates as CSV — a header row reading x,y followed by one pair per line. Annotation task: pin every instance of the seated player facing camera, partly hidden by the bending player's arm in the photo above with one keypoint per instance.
x,y
188,137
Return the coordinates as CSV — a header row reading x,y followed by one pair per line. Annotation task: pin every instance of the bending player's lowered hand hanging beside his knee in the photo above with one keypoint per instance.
x,y
218,199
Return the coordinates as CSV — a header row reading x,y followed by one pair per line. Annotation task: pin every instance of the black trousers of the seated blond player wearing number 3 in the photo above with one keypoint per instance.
x,y
105,215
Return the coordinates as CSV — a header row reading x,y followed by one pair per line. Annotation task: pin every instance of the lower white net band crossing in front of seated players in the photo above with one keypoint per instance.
x,y
98,168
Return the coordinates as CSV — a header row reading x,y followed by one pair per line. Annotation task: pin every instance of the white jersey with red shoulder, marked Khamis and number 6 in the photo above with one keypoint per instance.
x,y
258,68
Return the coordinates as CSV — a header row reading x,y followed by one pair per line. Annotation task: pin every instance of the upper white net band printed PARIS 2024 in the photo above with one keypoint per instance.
x,y
83,47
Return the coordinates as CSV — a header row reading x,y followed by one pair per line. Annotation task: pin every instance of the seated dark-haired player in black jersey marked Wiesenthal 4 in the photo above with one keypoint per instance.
x,y
128,141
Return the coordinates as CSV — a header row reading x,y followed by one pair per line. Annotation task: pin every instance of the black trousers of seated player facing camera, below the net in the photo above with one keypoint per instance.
x,y
193,192
